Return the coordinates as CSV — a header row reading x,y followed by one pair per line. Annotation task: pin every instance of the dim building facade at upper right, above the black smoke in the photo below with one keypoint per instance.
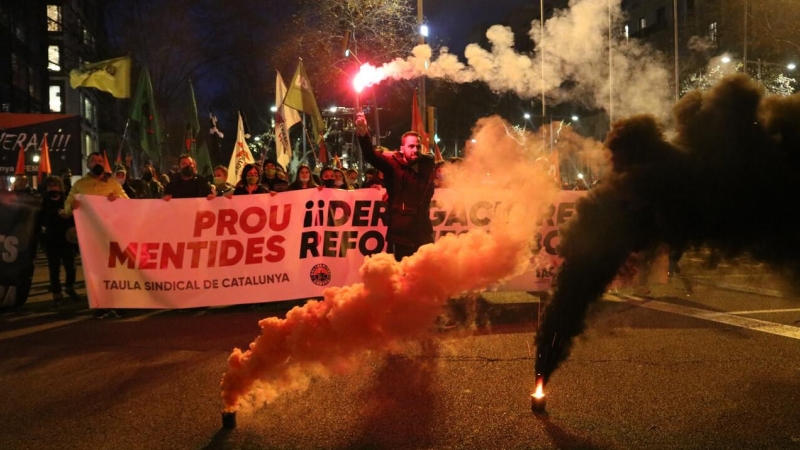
x,y
740,33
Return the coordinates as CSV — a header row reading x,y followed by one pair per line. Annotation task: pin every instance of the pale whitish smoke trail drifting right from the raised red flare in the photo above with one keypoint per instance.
x,y
574,49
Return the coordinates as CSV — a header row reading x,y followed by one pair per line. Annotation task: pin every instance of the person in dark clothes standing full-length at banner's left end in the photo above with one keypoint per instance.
x,y
54,240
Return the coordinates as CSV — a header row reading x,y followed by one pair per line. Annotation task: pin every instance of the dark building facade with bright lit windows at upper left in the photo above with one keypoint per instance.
x,y
42,41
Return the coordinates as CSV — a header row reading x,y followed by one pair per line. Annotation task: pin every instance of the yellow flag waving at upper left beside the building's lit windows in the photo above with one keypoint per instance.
x,y
112,76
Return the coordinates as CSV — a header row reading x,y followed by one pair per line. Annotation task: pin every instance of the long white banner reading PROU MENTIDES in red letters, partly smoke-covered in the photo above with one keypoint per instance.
x,y
189,253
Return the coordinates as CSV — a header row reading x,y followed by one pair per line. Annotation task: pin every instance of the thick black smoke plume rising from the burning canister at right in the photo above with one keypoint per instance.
x,y
722,183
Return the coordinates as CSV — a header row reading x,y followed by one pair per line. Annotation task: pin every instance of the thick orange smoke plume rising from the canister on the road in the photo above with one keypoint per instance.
x,y
398,302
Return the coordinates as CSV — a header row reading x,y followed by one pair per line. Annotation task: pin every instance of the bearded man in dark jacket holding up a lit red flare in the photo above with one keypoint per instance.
x,y
409,177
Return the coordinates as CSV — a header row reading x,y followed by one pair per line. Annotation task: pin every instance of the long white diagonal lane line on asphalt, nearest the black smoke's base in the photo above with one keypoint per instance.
x,y
713,316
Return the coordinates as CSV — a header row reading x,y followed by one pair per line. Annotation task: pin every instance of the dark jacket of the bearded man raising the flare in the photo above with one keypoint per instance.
x,y
410,189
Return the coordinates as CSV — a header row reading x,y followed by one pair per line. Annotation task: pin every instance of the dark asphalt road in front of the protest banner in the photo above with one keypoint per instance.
x,y
710,360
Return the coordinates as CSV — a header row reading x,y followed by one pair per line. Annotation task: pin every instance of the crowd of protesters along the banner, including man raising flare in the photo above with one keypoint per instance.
x,y
406,185
